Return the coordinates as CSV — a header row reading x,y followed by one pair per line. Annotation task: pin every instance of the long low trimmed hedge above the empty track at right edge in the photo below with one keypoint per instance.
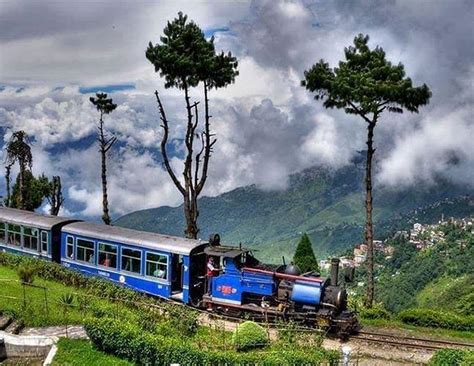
x,y
437,319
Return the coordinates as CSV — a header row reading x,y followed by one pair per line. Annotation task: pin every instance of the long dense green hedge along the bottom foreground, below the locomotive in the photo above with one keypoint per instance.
x,y
129,341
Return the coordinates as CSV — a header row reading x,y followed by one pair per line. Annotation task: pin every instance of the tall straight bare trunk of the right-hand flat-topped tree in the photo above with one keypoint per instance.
x,y
369,239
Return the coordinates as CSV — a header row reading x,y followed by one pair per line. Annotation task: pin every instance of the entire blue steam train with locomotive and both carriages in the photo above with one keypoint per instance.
x,y
178,269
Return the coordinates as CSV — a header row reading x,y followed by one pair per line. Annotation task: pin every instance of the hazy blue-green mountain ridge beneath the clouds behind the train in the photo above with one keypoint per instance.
x,y
328,205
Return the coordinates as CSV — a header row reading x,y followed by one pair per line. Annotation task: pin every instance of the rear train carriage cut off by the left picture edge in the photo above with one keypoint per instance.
x,y
25,232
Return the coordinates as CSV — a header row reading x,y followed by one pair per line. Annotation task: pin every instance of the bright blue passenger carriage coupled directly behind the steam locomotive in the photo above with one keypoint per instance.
x,y
158,265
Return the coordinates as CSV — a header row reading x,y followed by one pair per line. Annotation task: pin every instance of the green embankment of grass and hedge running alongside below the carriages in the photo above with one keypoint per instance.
x,y
94,295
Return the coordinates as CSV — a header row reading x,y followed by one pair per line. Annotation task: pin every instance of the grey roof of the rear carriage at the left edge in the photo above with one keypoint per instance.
x,y
28,218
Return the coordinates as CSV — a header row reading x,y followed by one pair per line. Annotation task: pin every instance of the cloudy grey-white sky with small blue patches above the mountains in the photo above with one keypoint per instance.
x,y
266,124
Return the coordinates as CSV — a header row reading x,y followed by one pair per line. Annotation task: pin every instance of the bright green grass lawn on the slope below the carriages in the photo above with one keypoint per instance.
x,y
35,314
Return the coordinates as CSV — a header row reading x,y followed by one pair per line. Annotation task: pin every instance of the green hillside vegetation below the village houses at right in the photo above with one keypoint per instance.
x,y
440,277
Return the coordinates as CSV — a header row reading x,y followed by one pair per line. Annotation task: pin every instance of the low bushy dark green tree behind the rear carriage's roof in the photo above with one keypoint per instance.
x,y
35,191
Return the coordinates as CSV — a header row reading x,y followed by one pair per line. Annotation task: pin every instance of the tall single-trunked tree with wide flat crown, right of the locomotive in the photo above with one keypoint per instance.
x,y
366,84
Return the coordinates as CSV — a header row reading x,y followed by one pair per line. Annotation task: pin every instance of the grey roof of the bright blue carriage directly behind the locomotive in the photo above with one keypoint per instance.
x,y
118,234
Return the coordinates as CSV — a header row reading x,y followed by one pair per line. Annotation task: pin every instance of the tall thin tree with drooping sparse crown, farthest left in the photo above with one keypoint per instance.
x,y
18,150
